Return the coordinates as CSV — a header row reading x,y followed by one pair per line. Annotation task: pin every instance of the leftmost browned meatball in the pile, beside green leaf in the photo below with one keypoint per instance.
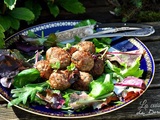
x,y
44,68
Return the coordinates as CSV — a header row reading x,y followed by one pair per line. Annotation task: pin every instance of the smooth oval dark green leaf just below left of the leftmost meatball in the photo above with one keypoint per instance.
x,y
25,77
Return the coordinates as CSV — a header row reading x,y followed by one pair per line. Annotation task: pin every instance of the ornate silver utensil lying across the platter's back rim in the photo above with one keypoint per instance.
x,y
106,30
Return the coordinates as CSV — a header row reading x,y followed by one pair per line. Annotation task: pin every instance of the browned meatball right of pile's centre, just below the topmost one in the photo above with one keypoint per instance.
x,y
82,60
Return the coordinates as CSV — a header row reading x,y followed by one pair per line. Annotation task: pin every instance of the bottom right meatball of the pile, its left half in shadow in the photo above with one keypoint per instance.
x,y
83,82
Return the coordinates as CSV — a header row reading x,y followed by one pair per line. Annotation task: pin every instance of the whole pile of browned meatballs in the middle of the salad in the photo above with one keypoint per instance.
x,y
87,66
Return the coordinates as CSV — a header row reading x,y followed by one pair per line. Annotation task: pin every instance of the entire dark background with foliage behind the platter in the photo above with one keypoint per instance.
x,y
16,15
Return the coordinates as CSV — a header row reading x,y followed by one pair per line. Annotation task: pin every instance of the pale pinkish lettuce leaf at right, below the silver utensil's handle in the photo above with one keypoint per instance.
x,y
125,58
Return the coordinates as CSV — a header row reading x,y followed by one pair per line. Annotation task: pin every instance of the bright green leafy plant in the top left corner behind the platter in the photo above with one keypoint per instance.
x,y
12,12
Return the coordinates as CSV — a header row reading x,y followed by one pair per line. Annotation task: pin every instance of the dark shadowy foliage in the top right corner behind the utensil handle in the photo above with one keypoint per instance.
x,y
136,10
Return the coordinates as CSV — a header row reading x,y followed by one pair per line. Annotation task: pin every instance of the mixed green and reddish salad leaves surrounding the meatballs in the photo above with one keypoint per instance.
x,y
120,81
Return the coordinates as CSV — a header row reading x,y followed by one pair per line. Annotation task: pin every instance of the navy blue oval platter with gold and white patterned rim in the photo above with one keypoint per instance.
x,y
123,44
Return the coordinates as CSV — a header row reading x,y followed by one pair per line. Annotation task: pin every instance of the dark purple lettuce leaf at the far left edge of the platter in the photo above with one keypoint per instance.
x,y
9,67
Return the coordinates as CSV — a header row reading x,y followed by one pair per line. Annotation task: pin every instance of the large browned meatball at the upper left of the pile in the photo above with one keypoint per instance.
x,y
56,54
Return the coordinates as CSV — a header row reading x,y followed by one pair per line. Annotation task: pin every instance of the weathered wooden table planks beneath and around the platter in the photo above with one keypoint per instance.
x,y
145,107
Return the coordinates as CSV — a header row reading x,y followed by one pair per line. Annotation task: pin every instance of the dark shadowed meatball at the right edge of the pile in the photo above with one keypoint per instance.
x,y
98,68
